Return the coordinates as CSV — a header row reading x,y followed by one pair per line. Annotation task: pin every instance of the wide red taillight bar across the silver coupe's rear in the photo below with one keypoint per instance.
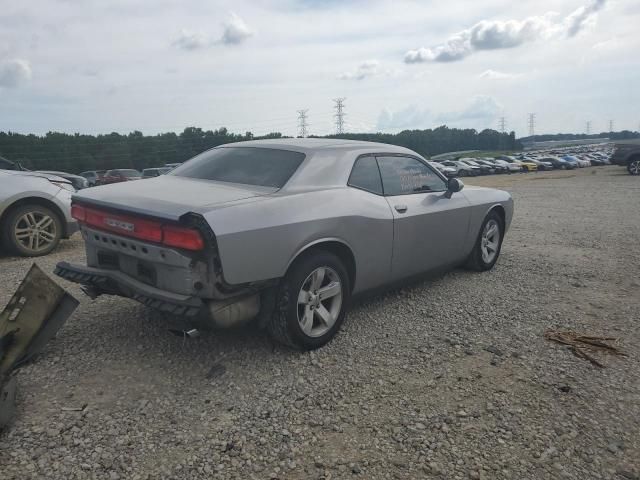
x,y
142,229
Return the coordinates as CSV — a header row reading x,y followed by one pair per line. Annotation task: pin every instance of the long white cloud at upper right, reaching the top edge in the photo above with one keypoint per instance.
x,y
497,34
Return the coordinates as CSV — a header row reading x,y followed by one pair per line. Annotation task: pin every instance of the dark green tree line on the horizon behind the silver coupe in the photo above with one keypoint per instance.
x,y
75,153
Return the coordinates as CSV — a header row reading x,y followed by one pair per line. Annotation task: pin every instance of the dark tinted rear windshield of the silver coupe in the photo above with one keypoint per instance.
x,y
264,167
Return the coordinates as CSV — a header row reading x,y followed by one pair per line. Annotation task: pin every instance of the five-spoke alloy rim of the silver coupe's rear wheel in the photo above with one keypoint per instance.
x,y
319,301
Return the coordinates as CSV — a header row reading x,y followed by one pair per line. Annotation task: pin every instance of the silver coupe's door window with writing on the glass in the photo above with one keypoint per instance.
x,y
403,175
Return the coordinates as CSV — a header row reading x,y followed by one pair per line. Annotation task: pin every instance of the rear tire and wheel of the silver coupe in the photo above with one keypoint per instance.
x,y
311,301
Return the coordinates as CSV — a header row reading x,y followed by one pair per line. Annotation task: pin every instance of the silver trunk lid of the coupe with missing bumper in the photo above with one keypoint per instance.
x,y
169,196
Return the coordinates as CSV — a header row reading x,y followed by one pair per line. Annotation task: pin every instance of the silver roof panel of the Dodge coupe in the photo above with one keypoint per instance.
x,y
309,145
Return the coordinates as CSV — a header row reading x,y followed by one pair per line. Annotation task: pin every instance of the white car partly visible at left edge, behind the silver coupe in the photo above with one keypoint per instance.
x,y
35,212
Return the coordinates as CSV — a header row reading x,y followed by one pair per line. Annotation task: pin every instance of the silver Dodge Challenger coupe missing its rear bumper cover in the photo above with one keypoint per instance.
x,y
283,232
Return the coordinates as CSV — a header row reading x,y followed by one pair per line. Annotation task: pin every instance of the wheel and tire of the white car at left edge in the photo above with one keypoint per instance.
x,y
32,230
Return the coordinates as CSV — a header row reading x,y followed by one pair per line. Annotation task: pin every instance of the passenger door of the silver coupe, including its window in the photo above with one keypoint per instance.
x,y
430,229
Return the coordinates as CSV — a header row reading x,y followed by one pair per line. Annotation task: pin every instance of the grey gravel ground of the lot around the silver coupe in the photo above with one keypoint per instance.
x,y
448,378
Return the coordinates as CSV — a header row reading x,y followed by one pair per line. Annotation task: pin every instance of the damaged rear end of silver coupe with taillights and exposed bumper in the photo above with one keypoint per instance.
x,y
156,261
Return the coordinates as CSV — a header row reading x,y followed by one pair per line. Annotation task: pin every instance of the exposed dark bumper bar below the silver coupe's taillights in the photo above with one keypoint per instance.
x,y
117,283
